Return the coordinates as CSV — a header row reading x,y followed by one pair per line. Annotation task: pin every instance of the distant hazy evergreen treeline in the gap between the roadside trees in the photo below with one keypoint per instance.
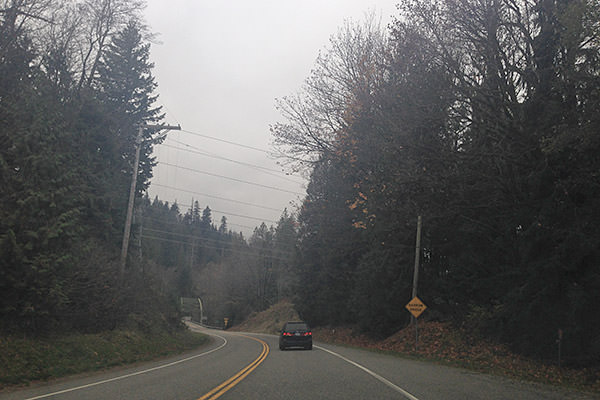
x,y
192,257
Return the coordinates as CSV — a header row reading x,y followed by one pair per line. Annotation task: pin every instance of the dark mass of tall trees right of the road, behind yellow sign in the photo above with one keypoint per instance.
x,y
481,117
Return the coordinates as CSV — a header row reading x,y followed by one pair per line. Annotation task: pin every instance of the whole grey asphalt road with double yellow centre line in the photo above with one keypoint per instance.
x,y
250,366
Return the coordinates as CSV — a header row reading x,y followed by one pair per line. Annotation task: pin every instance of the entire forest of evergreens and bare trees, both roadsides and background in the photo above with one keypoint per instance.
x,y
479,116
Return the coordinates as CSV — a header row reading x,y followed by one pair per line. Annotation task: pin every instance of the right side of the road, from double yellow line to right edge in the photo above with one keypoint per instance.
x,y
333,372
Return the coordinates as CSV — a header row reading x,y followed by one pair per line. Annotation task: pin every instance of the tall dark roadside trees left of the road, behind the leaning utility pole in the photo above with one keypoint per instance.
x,y
75,82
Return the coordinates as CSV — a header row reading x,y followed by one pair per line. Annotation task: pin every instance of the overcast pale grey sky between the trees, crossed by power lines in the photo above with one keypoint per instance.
x,y
220,65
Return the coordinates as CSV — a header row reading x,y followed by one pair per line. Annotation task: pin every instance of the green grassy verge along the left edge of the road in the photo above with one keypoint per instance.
x,y
25,360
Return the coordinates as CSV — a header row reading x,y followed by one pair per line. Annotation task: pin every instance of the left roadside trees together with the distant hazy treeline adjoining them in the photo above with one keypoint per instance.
x,y
75,85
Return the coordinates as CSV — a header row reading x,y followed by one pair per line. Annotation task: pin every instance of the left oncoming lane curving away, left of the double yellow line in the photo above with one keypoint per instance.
x,y
190,376
